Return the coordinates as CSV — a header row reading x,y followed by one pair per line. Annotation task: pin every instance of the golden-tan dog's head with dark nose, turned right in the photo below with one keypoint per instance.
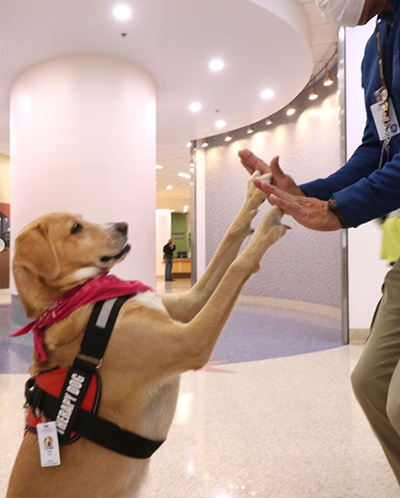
x,y
57,251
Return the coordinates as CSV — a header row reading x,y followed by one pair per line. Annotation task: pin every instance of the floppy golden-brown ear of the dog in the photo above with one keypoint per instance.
x,y
35,251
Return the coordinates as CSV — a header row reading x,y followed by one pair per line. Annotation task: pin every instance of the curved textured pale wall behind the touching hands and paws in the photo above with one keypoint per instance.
x,y
304,266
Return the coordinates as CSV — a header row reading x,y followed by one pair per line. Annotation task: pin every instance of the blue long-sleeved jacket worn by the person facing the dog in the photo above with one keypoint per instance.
x,y
361,190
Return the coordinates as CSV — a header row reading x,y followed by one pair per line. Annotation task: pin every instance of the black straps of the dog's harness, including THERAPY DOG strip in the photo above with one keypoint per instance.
x,y
89,425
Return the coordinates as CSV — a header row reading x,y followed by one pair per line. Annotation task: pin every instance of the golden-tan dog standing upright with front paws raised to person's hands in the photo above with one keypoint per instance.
x,y
155,339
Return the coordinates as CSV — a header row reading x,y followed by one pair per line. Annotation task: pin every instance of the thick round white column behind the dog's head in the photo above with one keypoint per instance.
x,y
83,140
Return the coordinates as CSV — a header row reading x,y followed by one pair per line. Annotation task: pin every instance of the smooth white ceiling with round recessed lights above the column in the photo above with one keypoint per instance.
x,y
263,43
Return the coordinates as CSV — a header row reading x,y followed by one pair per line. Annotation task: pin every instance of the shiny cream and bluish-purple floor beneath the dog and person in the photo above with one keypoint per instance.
x,y
271,416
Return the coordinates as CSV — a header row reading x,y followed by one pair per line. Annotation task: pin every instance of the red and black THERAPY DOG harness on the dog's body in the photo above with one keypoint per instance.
x,y
71,396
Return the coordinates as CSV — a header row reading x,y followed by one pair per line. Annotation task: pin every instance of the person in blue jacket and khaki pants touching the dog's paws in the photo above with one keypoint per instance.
x,y
365,188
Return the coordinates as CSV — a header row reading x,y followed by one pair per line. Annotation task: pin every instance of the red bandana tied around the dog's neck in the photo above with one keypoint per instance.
x,y
103,287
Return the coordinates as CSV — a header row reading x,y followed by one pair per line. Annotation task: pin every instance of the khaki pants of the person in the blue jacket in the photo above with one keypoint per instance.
x,y
376,378
